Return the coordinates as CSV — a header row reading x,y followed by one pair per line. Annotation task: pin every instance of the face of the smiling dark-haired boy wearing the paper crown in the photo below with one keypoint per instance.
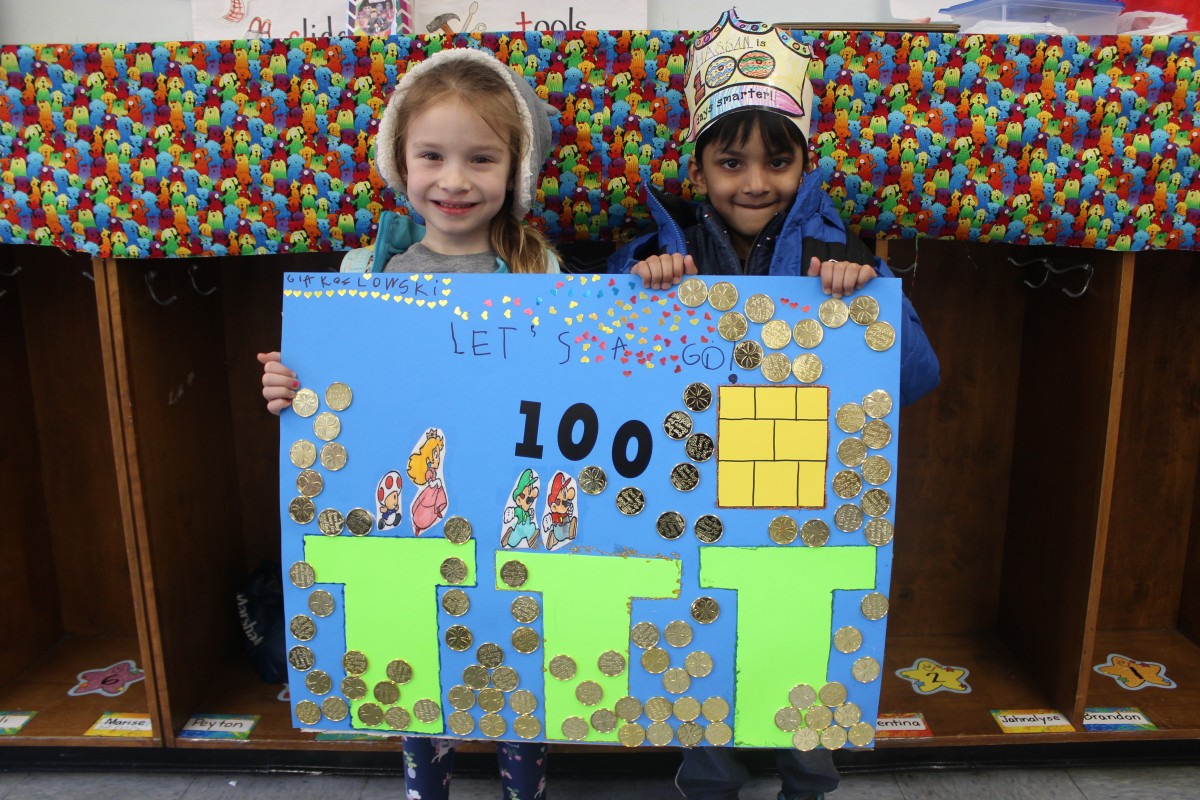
x,y
748,185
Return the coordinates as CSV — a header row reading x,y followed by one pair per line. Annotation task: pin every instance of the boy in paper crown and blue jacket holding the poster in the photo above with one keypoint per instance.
x,y
751,98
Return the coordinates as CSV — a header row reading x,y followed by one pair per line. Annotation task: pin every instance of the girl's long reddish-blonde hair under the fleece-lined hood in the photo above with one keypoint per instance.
x,y
521,246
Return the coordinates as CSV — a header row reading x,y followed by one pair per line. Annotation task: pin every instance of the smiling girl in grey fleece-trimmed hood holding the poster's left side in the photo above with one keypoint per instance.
x,y
464,139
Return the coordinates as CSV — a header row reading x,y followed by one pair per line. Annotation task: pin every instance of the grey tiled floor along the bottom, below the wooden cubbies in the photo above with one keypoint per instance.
x,y
1174,783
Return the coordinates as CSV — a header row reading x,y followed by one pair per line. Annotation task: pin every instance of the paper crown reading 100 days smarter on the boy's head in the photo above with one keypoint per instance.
x,y
739,65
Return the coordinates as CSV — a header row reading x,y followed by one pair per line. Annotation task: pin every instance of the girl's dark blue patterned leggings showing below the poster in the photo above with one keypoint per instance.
x,y
429,767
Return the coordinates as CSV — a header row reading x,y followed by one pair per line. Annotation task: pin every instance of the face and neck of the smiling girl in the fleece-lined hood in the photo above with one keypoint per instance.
x,y
459,173
